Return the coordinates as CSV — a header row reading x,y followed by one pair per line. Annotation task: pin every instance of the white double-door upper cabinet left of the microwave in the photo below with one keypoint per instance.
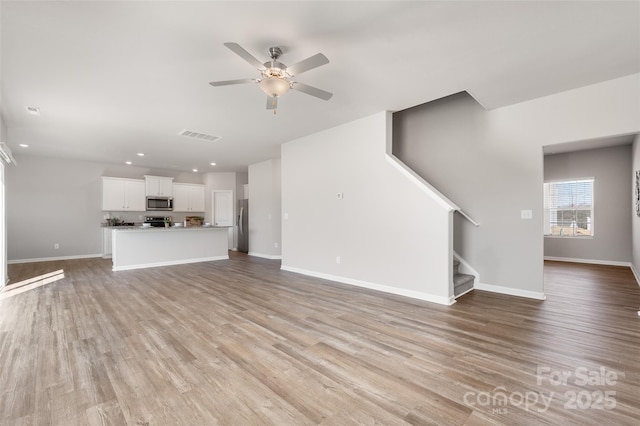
x,y
123,194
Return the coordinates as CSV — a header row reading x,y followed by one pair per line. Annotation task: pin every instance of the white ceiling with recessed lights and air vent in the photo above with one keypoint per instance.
x,y
116,78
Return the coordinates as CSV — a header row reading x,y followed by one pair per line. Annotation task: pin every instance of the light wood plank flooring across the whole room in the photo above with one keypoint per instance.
x,y
240,342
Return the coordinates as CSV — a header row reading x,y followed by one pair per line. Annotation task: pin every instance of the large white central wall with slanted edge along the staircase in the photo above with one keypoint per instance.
x,y
388,233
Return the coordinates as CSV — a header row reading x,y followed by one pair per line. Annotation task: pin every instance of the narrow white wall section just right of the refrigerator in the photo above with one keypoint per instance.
x,y
264,209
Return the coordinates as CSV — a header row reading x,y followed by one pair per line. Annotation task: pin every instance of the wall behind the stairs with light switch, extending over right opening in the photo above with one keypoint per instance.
x,y
491,164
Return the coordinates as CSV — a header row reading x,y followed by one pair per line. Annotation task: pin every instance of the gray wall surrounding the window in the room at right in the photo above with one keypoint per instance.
x,y
611,168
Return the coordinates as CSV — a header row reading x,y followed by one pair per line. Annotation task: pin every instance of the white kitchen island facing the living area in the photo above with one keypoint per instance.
x,y
135,248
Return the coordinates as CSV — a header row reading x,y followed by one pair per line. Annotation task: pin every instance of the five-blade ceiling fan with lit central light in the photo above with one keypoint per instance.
x,y
276,77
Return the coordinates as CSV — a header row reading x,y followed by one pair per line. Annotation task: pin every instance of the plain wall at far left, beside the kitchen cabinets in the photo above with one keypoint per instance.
x,y
52,201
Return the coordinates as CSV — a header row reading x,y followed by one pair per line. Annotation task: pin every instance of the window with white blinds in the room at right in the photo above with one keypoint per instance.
x,y
568,208
